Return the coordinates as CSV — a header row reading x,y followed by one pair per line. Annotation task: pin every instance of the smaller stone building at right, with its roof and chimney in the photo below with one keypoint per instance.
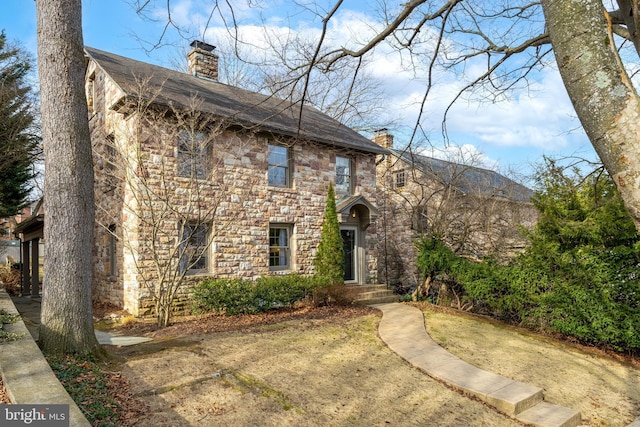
x,y
478,212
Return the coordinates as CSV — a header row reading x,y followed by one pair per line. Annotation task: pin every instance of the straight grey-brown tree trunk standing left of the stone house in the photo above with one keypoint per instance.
x,y
67,323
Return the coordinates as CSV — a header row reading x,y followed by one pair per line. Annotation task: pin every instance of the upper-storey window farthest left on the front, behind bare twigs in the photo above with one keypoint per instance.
x,y
193,155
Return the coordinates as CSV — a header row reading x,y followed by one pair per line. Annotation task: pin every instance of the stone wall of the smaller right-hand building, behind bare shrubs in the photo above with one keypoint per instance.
x,y
471,224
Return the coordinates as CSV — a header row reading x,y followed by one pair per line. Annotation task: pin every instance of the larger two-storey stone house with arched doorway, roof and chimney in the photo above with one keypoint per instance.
x,y
195,179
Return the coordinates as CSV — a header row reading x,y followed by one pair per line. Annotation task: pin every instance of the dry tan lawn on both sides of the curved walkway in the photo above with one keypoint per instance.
x,y
328,367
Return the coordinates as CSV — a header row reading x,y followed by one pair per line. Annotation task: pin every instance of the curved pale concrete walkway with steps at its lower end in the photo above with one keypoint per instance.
x,y
402,329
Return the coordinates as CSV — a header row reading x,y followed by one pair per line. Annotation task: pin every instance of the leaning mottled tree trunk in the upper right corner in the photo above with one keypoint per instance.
x,y
600,89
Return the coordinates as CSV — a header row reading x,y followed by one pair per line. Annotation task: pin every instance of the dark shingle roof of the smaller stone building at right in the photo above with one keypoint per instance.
x,y
468,179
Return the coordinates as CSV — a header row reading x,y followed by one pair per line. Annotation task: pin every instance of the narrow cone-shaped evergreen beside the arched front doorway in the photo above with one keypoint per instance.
x,y
329,260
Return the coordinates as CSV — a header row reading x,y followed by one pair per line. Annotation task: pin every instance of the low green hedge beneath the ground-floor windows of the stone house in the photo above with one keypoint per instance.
x,y
244,296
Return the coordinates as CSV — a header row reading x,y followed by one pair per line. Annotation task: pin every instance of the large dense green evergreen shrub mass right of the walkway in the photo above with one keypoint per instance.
x,y
579,276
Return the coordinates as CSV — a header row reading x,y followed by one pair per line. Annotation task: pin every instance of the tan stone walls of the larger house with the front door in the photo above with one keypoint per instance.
x,y
146,201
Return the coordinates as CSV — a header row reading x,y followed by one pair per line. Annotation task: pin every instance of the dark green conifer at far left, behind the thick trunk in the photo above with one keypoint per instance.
x,y
17,141
